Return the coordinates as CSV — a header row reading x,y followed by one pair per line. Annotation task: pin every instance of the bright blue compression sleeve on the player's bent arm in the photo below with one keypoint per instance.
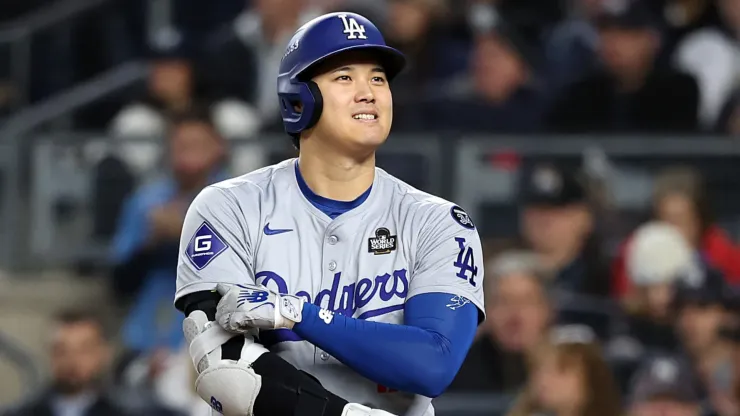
x,y
421,357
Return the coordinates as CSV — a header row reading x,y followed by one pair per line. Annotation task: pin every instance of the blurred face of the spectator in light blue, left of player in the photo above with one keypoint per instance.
x,y
195,150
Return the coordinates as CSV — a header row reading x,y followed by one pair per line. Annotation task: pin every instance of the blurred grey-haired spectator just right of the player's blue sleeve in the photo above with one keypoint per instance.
x,y
519,313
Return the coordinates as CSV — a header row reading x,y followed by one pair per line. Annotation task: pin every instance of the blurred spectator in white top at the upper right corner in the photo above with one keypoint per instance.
x,y
712,56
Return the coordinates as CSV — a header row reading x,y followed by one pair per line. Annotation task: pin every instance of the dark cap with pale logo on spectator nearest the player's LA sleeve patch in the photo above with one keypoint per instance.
x,y
550,186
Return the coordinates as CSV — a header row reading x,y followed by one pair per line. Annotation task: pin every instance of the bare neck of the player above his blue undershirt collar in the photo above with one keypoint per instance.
x,y
335,176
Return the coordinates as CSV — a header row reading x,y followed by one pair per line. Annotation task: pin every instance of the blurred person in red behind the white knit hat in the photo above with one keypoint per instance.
x,y
680,199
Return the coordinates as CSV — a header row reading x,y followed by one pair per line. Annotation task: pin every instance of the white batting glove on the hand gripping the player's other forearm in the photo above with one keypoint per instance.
x,y
243,307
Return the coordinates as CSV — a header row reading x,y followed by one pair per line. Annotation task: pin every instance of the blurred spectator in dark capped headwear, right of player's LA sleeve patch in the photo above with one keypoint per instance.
x,y
558,224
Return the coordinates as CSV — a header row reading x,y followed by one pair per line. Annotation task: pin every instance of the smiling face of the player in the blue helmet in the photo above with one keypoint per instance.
x,y
358,106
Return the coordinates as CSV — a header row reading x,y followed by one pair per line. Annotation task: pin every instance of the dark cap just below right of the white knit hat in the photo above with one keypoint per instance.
x,y
706,288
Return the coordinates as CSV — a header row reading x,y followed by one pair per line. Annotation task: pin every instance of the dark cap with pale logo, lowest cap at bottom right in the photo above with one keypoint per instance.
x,y
664,377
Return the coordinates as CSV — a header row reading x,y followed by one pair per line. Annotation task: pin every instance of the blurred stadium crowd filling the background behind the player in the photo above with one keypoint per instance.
x,y
594,307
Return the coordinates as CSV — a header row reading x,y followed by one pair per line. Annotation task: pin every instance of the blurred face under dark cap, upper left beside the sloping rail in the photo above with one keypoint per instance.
x,y
171,81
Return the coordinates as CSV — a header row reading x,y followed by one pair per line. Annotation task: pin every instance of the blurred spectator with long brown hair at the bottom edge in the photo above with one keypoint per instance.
x,y
569,378
